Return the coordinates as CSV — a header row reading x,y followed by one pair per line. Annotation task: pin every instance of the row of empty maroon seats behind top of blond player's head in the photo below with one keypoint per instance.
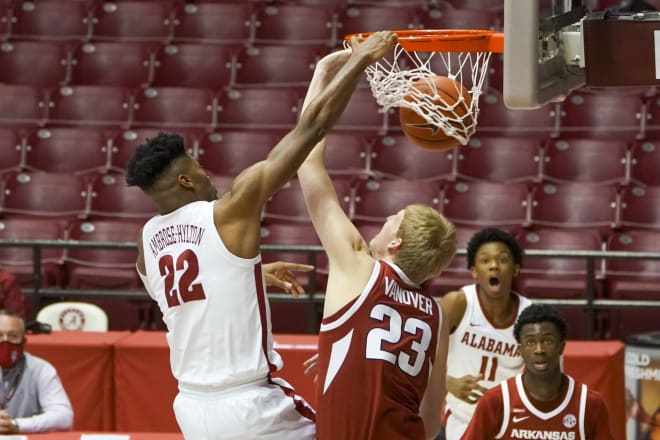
x,y
467,203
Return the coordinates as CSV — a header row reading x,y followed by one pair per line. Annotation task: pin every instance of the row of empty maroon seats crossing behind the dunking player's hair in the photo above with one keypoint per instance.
x,y
353,154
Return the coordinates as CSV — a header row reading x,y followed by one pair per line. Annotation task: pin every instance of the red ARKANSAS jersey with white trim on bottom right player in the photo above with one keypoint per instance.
x,y
507,412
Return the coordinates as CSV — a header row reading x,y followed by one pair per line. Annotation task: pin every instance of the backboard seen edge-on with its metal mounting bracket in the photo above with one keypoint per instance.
x,y
543,50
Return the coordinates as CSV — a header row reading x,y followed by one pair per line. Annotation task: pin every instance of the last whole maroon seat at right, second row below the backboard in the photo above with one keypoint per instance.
x,y
602,162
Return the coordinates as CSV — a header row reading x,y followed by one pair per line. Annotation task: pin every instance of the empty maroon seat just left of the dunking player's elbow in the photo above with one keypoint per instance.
x,y
259,108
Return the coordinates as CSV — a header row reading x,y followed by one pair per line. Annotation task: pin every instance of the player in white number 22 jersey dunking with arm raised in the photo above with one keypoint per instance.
x,y
200,260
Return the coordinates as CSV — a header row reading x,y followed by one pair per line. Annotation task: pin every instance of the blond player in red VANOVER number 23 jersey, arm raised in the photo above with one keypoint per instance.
x,y
383,342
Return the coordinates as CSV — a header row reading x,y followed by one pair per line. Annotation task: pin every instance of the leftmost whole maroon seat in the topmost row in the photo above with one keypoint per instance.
x,y
52,20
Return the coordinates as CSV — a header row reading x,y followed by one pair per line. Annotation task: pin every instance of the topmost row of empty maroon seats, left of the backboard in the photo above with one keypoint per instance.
x,y
242,22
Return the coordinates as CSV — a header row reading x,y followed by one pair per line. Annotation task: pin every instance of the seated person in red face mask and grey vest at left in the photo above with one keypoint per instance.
x,y
32,398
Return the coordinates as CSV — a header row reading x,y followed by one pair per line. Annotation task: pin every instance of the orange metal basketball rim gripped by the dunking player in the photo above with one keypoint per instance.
x,y
446,40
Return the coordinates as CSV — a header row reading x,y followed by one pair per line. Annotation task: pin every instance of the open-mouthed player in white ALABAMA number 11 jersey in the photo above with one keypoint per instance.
x,y
482,348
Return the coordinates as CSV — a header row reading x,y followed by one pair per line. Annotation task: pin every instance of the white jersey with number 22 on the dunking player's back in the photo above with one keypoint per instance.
x,y
213,302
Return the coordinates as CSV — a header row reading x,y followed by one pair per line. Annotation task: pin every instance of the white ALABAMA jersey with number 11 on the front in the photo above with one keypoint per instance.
x,y
477,347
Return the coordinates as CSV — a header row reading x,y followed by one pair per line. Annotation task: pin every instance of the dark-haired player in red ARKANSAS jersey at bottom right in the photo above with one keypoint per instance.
x,y
542,402
